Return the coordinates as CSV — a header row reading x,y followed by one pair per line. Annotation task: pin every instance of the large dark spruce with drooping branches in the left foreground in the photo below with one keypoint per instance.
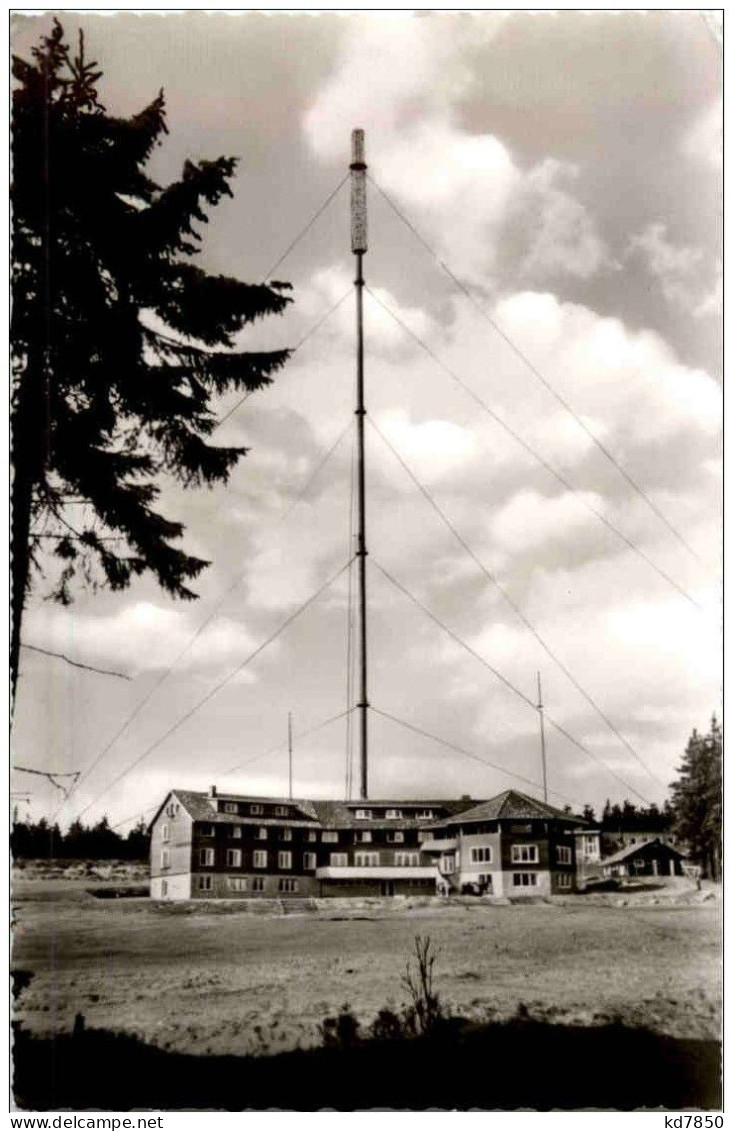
x,y
120,343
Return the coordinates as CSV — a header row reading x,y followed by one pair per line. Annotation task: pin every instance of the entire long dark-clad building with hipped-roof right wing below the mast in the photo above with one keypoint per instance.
x,y
230,847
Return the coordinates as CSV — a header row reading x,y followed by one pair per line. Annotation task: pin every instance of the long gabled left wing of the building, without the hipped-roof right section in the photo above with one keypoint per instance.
x,y
232,847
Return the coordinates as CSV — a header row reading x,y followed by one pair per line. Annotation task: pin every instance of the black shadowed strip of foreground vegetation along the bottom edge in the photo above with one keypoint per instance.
x,y
520,1065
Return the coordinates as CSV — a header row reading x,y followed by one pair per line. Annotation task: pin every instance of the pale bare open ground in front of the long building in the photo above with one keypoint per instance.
x,y
213,979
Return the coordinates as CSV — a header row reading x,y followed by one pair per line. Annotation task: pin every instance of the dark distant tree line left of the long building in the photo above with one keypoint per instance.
x,y
42,841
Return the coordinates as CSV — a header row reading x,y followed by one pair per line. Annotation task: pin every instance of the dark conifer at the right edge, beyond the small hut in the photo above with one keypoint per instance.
x,y
697,799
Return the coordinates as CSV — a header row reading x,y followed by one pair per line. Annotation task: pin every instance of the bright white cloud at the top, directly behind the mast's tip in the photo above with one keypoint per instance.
x,y
463,187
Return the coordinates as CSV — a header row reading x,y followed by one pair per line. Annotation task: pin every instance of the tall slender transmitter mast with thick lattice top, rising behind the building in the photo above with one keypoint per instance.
x,y
359,247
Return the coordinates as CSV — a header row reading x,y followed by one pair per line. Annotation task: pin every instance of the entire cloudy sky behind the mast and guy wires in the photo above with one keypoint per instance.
x,y
567,170
